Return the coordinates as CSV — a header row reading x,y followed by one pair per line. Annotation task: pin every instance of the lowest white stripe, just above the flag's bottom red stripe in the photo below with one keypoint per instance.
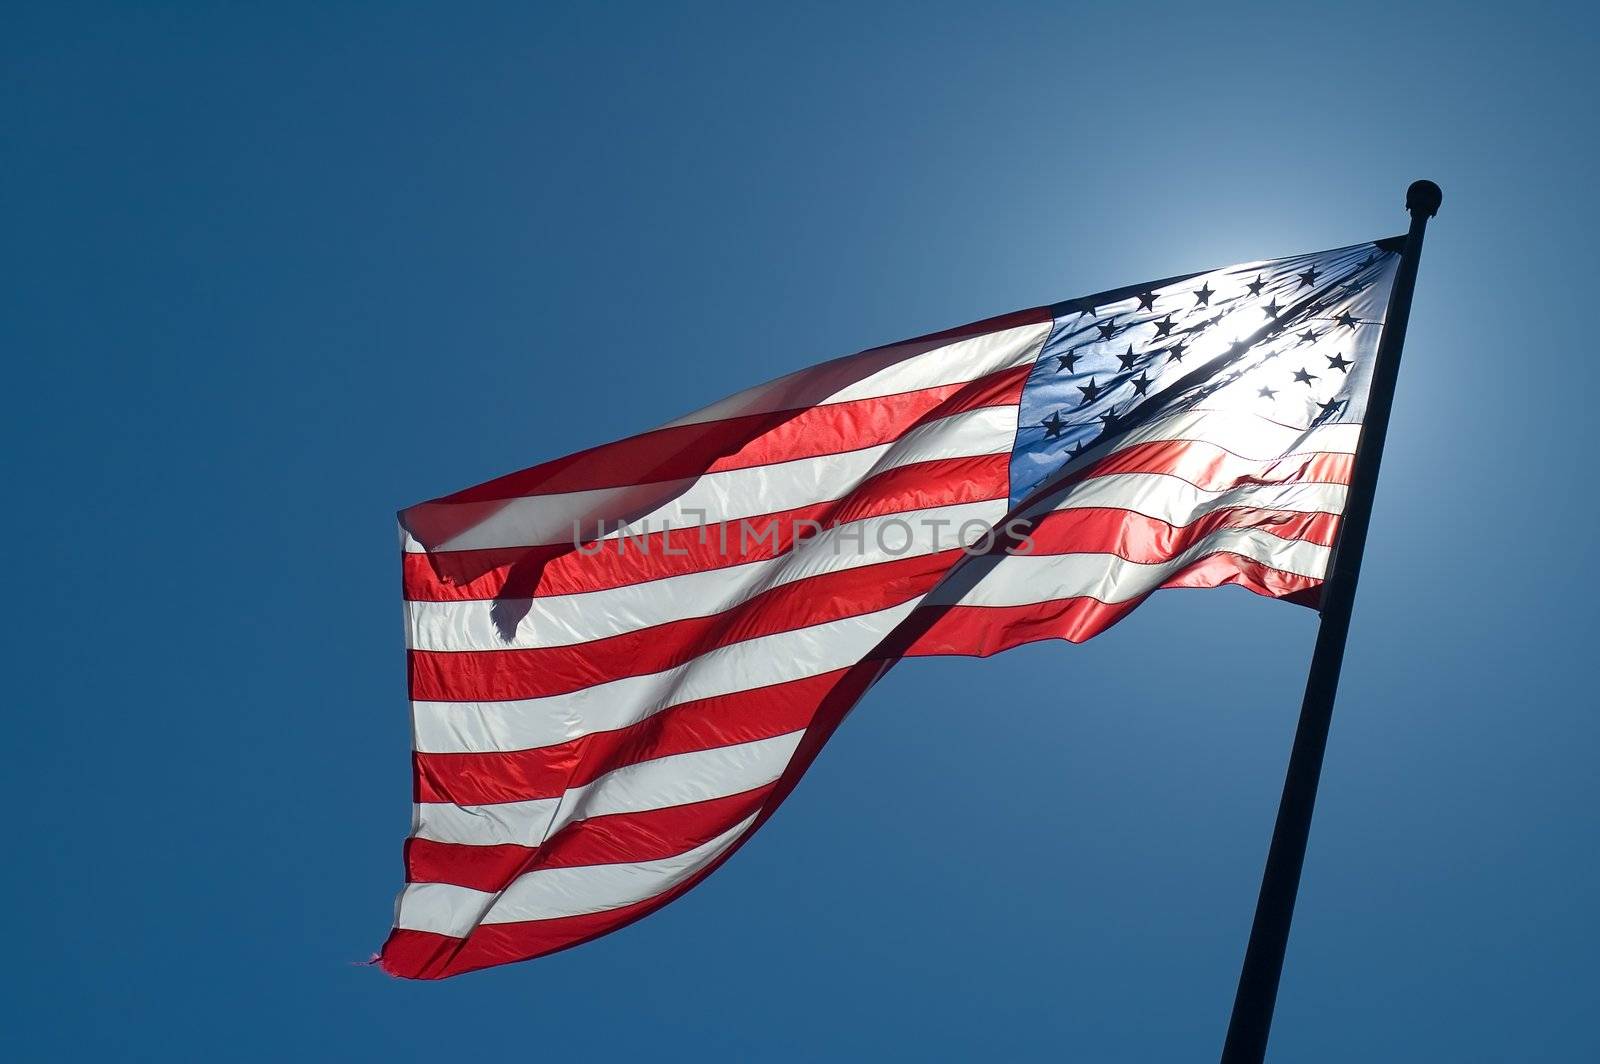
x,y
554,894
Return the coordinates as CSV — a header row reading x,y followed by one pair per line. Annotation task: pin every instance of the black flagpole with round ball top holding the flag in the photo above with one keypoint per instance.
x,y
1270,935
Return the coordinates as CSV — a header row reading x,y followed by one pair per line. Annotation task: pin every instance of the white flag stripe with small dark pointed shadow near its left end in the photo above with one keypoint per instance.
x,y
580,618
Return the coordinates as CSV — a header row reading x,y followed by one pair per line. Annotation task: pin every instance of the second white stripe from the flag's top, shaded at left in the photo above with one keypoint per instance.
x,y
734,494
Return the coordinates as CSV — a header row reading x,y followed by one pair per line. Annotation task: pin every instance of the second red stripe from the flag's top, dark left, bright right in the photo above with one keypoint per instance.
x,y
689,452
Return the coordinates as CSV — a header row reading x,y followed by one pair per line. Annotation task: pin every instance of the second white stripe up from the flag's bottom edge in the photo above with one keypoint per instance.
x,y
666,782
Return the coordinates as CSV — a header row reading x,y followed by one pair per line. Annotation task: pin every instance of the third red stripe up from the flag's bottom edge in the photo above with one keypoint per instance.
x,y
546,772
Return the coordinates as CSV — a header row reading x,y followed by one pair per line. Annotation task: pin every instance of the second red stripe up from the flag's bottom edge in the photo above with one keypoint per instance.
x,y
622,838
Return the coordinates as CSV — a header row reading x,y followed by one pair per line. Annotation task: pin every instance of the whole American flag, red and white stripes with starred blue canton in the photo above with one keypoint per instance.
x,y
622,662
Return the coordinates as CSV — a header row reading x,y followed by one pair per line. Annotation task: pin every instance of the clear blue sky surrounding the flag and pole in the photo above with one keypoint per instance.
x,y
273,274
